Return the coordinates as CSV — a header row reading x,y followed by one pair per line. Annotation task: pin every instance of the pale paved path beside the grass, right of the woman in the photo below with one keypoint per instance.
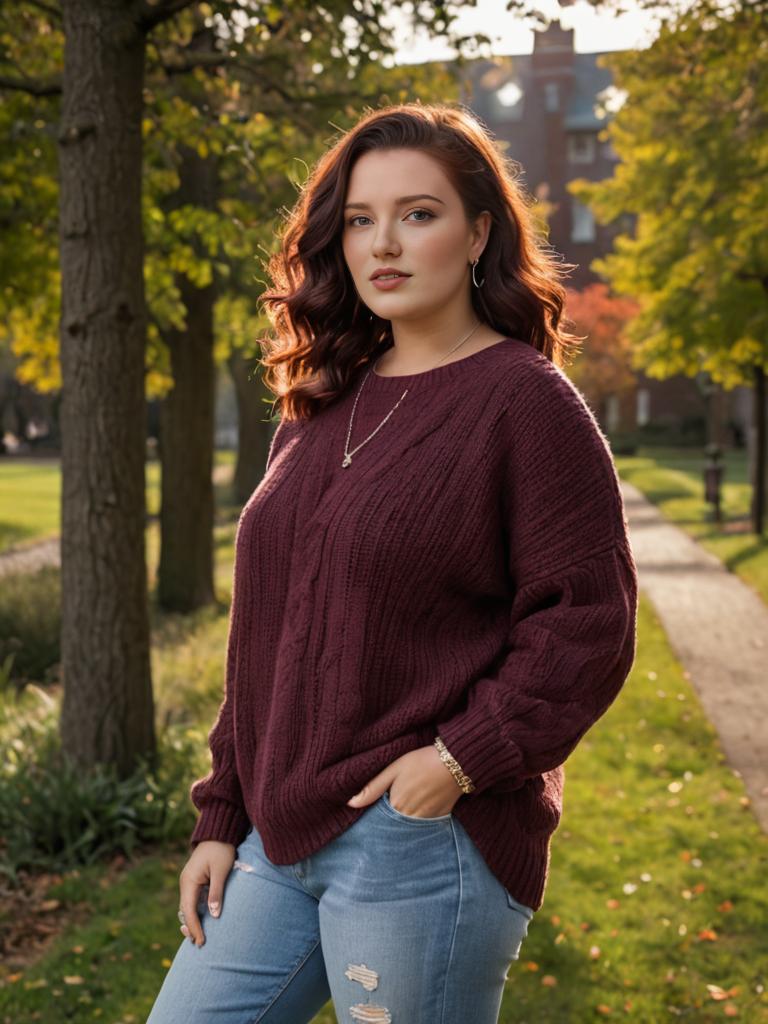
x,y
718,628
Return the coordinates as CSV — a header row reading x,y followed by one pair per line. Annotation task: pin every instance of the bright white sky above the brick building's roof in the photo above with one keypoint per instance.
x,y
513,35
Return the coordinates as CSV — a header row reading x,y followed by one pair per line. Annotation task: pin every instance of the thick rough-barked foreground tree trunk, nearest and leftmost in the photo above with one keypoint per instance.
x,y
108,713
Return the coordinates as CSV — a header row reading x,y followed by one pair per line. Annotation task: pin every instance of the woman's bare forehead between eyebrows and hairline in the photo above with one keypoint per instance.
x,y
387,175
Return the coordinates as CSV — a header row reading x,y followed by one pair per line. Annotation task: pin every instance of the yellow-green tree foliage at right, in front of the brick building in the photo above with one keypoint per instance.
x,y
693,141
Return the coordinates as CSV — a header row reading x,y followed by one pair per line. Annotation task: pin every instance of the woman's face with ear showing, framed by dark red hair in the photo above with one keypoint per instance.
x,y
403,212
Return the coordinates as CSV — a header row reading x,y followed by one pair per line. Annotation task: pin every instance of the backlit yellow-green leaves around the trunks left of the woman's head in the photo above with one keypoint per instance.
x,y
248,110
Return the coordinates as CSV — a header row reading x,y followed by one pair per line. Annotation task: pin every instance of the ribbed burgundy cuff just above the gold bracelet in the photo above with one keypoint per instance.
x,y
476,741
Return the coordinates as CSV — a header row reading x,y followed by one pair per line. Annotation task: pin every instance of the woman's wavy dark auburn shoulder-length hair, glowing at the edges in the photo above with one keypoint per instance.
x,y
325,334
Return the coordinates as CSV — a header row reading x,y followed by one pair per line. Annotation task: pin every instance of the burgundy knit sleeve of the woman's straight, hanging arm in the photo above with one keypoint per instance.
x,y
219,797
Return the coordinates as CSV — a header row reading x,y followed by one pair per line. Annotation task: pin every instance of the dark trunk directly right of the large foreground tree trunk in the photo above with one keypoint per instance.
x,y
186,571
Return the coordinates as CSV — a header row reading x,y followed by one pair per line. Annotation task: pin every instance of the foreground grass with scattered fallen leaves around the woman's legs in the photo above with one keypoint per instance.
x,y
656,908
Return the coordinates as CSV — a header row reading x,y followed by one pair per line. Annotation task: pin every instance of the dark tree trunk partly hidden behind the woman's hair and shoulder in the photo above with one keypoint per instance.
x,y
254,429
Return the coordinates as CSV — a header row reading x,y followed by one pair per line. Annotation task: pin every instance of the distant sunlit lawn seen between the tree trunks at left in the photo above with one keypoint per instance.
x,y
31,493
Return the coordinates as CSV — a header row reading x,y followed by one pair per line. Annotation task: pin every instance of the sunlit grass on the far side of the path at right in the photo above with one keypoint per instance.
x,y
673,480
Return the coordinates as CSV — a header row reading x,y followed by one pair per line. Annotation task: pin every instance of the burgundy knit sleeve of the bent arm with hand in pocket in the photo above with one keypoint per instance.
x,y
572,638
